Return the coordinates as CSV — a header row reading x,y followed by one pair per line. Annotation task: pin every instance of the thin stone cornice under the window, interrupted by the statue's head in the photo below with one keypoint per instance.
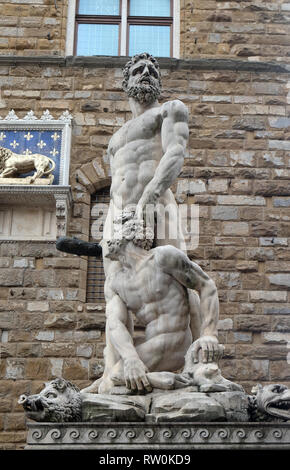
x,y
236,65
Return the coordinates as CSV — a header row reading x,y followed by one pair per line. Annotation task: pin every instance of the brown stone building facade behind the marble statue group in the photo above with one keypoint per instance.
x,y
229,63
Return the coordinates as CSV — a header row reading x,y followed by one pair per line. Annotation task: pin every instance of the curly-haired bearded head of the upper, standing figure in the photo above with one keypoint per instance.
x,y
142,79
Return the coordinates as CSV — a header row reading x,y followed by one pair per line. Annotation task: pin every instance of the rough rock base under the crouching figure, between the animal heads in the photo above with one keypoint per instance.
x,y
165,406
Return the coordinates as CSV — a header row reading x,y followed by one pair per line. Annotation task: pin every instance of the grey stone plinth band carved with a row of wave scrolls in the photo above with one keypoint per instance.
x,y
186,435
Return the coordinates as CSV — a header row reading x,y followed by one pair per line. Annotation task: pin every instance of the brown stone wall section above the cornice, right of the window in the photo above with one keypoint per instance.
x,y
248,29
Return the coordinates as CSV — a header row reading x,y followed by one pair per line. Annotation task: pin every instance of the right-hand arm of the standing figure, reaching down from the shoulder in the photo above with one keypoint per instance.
x,y
174,137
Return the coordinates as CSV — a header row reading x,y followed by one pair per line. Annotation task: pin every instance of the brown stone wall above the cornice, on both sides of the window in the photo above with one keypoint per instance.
x,y
250,29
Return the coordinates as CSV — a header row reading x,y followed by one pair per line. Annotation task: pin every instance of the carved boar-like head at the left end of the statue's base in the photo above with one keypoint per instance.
x,y
59,401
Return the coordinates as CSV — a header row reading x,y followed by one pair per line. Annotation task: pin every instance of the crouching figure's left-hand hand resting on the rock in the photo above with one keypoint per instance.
x,y
135,375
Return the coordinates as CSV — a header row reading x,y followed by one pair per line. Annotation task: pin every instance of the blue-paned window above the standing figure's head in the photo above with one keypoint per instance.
x,y
125,27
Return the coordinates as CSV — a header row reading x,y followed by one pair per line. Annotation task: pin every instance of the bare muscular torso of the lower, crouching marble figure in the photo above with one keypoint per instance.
x,y
159,302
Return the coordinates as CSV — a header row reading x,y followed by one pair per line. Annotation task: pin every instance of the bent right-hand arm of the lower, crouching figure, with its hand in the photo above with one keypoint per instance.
x,y
190,275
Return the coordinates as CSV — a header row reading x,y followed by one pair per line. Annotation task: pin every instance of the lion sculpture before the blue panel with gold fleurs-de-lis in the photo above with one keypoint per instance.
x,y
13,164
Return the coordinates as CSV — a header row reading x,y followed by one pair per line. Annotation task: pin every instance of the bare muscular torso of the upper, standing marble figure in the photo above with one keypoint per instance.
x,y
135,151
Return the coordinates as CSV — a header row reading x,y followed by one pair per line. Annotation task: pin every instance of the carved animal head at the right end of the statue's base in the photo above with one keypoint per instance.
x,y
274,400
